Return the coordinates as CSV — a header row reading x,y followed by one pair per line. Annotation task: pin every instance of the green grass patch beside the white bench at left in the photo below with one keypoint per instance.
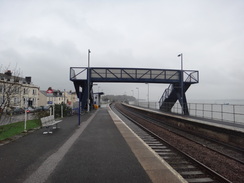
x,y
10,130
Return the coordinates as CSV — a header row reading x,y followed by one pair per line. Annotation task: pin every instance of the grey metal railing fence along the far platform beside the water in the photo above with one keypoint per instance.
x,y
233,113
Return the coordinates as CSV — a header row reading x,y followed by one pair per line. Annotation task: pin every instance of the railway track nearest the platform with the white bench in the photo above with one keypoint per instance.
x,y
188,167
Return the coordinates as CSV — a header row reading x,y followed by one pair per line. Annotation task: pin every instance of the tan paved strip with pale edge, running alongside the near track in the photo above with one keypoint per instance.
x,y
157,169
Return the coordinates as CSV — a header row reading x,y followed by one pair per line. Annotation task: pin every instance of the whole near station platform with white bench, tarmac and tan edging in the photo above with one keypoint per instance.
x,y
101,149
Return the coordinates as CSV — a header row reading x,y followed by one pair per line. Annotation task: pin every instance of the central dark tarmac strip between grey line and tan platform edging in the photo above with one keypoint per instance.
x,y
100,154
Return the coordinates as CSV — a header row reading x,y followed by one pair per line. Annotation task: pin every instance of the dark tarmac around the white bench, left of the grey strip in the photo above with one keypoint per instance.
x,y
20,158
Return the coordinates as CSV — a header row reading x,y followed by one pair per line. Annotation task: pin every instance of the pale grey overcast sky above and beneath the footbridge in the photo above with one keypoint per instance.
x,y
44,38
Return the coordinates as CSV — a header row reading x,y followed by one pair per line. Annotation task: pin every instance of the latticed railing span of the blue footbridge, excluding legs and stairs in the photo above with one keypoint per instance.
x,y
101,74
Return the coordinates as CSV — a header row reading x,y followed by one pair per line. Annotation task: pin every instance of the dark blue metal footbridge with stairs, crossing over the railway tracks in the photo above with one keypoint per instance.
x,y
179,81
